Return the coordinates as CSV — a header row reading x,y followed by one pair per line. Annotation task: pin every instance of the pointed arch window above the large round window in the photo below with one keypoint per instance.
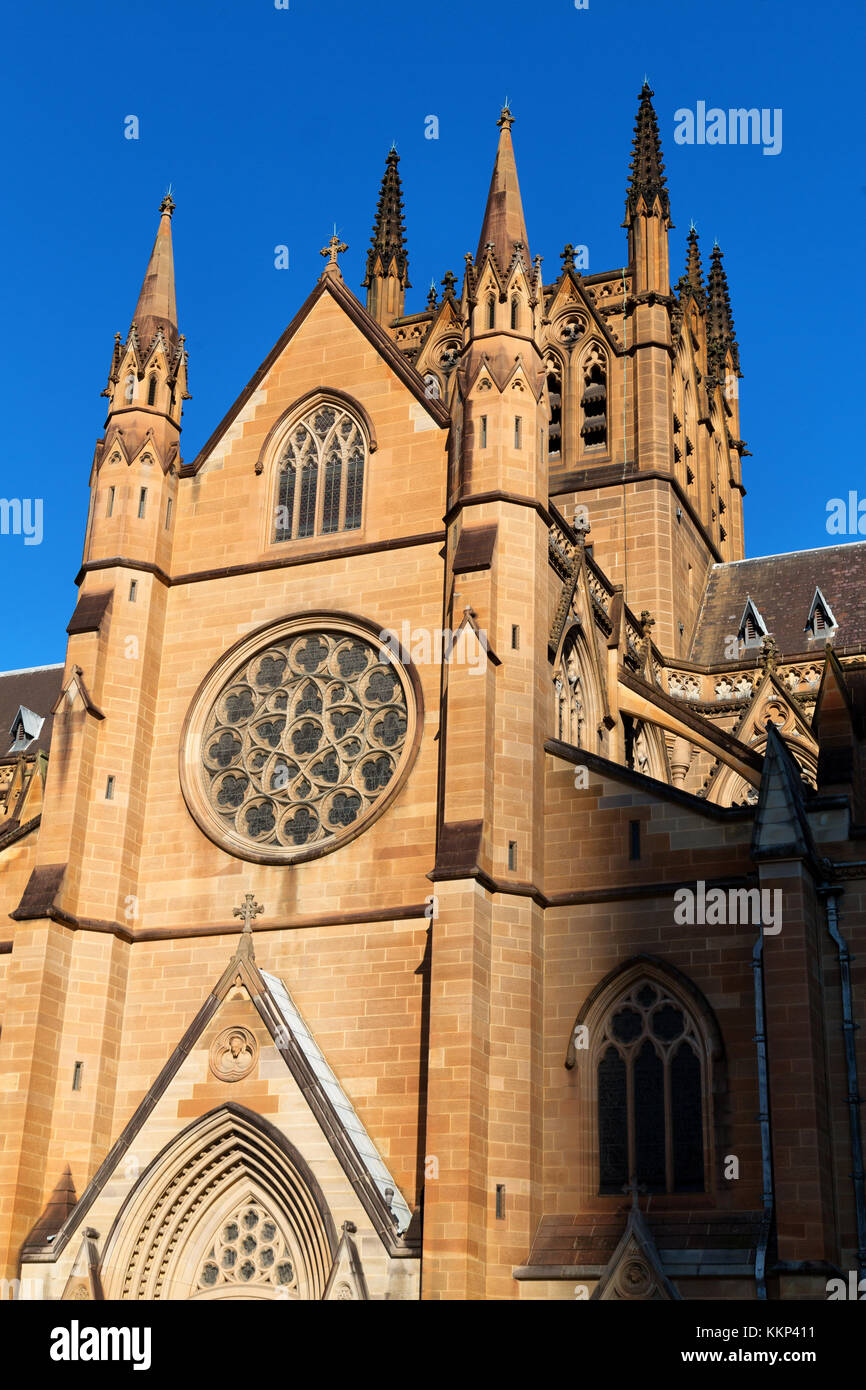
x,y
320,476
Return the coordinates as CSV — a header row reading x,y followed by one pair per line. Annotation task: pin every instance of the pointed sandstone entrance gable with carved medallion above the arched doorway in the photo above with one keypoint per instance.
x,y
250,1099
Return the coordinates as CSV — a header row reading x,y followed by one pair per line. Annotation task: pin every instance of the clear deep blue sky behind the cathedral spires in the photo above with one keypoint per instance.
x,y
275,124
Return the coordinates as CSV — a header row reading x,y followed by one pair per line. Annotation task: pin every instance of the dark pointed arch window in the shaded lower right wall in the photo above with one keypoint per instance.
x,y
651,1081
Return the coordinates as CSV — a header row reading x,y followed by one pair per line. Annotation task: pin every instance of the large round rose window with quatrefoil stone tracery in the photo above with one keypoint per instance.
x,y
302,743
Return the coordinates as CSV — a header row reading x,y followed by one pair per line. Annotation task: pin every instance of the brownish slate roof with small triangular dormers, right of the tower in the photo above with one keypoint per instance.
x,y
783,587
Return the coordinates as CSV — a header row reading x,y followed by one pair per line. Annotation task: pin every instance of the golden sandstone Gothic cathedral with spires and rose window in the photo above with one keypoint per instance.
x,y
437,869
